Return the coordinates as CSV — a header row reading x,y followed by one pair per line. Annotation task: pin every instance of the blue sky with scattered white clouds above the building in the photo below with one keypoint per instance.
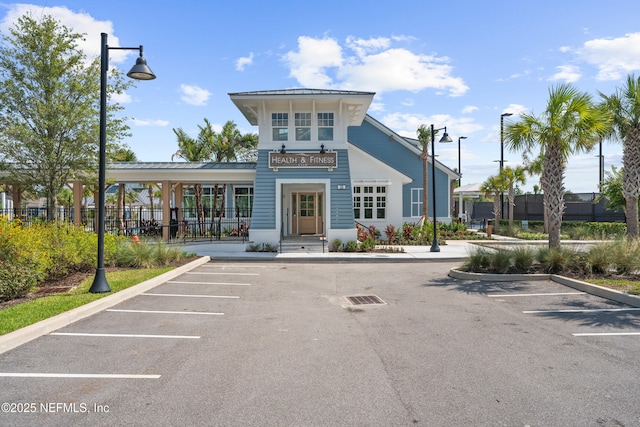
x,y
459,64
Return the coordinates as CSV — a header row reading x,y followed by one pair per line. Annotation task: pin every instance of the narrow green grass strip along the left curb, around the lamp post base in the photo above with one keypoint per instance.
x,y
21,315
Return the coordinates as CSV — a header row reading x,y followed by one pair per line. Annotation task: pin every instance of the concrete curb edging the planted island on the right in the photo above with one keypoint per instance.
x,y
611,294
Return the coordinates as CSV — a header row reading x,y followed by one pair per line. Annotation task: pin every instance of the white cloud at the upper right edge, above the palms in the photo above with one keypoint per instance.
x,y
614,57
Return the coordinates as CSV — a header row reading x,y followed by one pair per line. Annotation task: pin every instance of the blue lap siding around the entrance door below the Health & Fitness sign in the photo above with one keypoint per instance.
x,y
264,199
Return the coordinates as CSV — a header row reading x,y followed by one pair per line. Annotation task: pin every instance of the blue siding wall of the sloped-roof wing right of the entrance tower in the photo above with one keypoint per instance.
x,y
376,143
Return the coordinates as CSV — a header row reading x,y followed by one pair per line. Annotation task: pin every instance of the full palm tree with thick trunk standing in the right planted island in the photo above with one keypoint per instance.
x,y
570,124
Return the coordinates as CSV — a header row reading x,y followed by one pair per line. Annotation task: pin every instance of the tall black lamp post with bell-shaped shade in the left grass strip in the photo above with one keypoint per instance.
x,y
140,71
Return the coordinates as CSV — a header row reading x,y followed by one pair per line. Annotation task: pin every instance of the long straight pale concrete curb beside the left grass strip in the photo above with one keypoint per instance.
x,y
31,332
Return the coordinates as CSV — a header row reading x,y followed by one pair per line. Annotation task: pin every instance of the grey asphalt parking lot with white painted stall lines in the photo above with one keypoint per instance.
x,y
279,343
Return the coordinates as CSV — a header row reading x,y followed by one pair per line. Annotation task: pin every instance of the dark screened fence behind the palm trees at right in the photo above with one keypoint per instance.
x,y
581,207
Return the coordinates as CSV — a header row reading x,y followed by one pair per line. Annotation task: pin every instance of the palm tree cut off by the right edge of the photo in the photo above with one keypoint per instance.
x,y
624,106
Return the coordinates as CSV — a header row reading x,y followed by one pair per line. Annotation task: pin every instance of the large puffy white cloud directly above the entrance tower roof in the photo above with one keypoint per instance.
x,y
369,64
